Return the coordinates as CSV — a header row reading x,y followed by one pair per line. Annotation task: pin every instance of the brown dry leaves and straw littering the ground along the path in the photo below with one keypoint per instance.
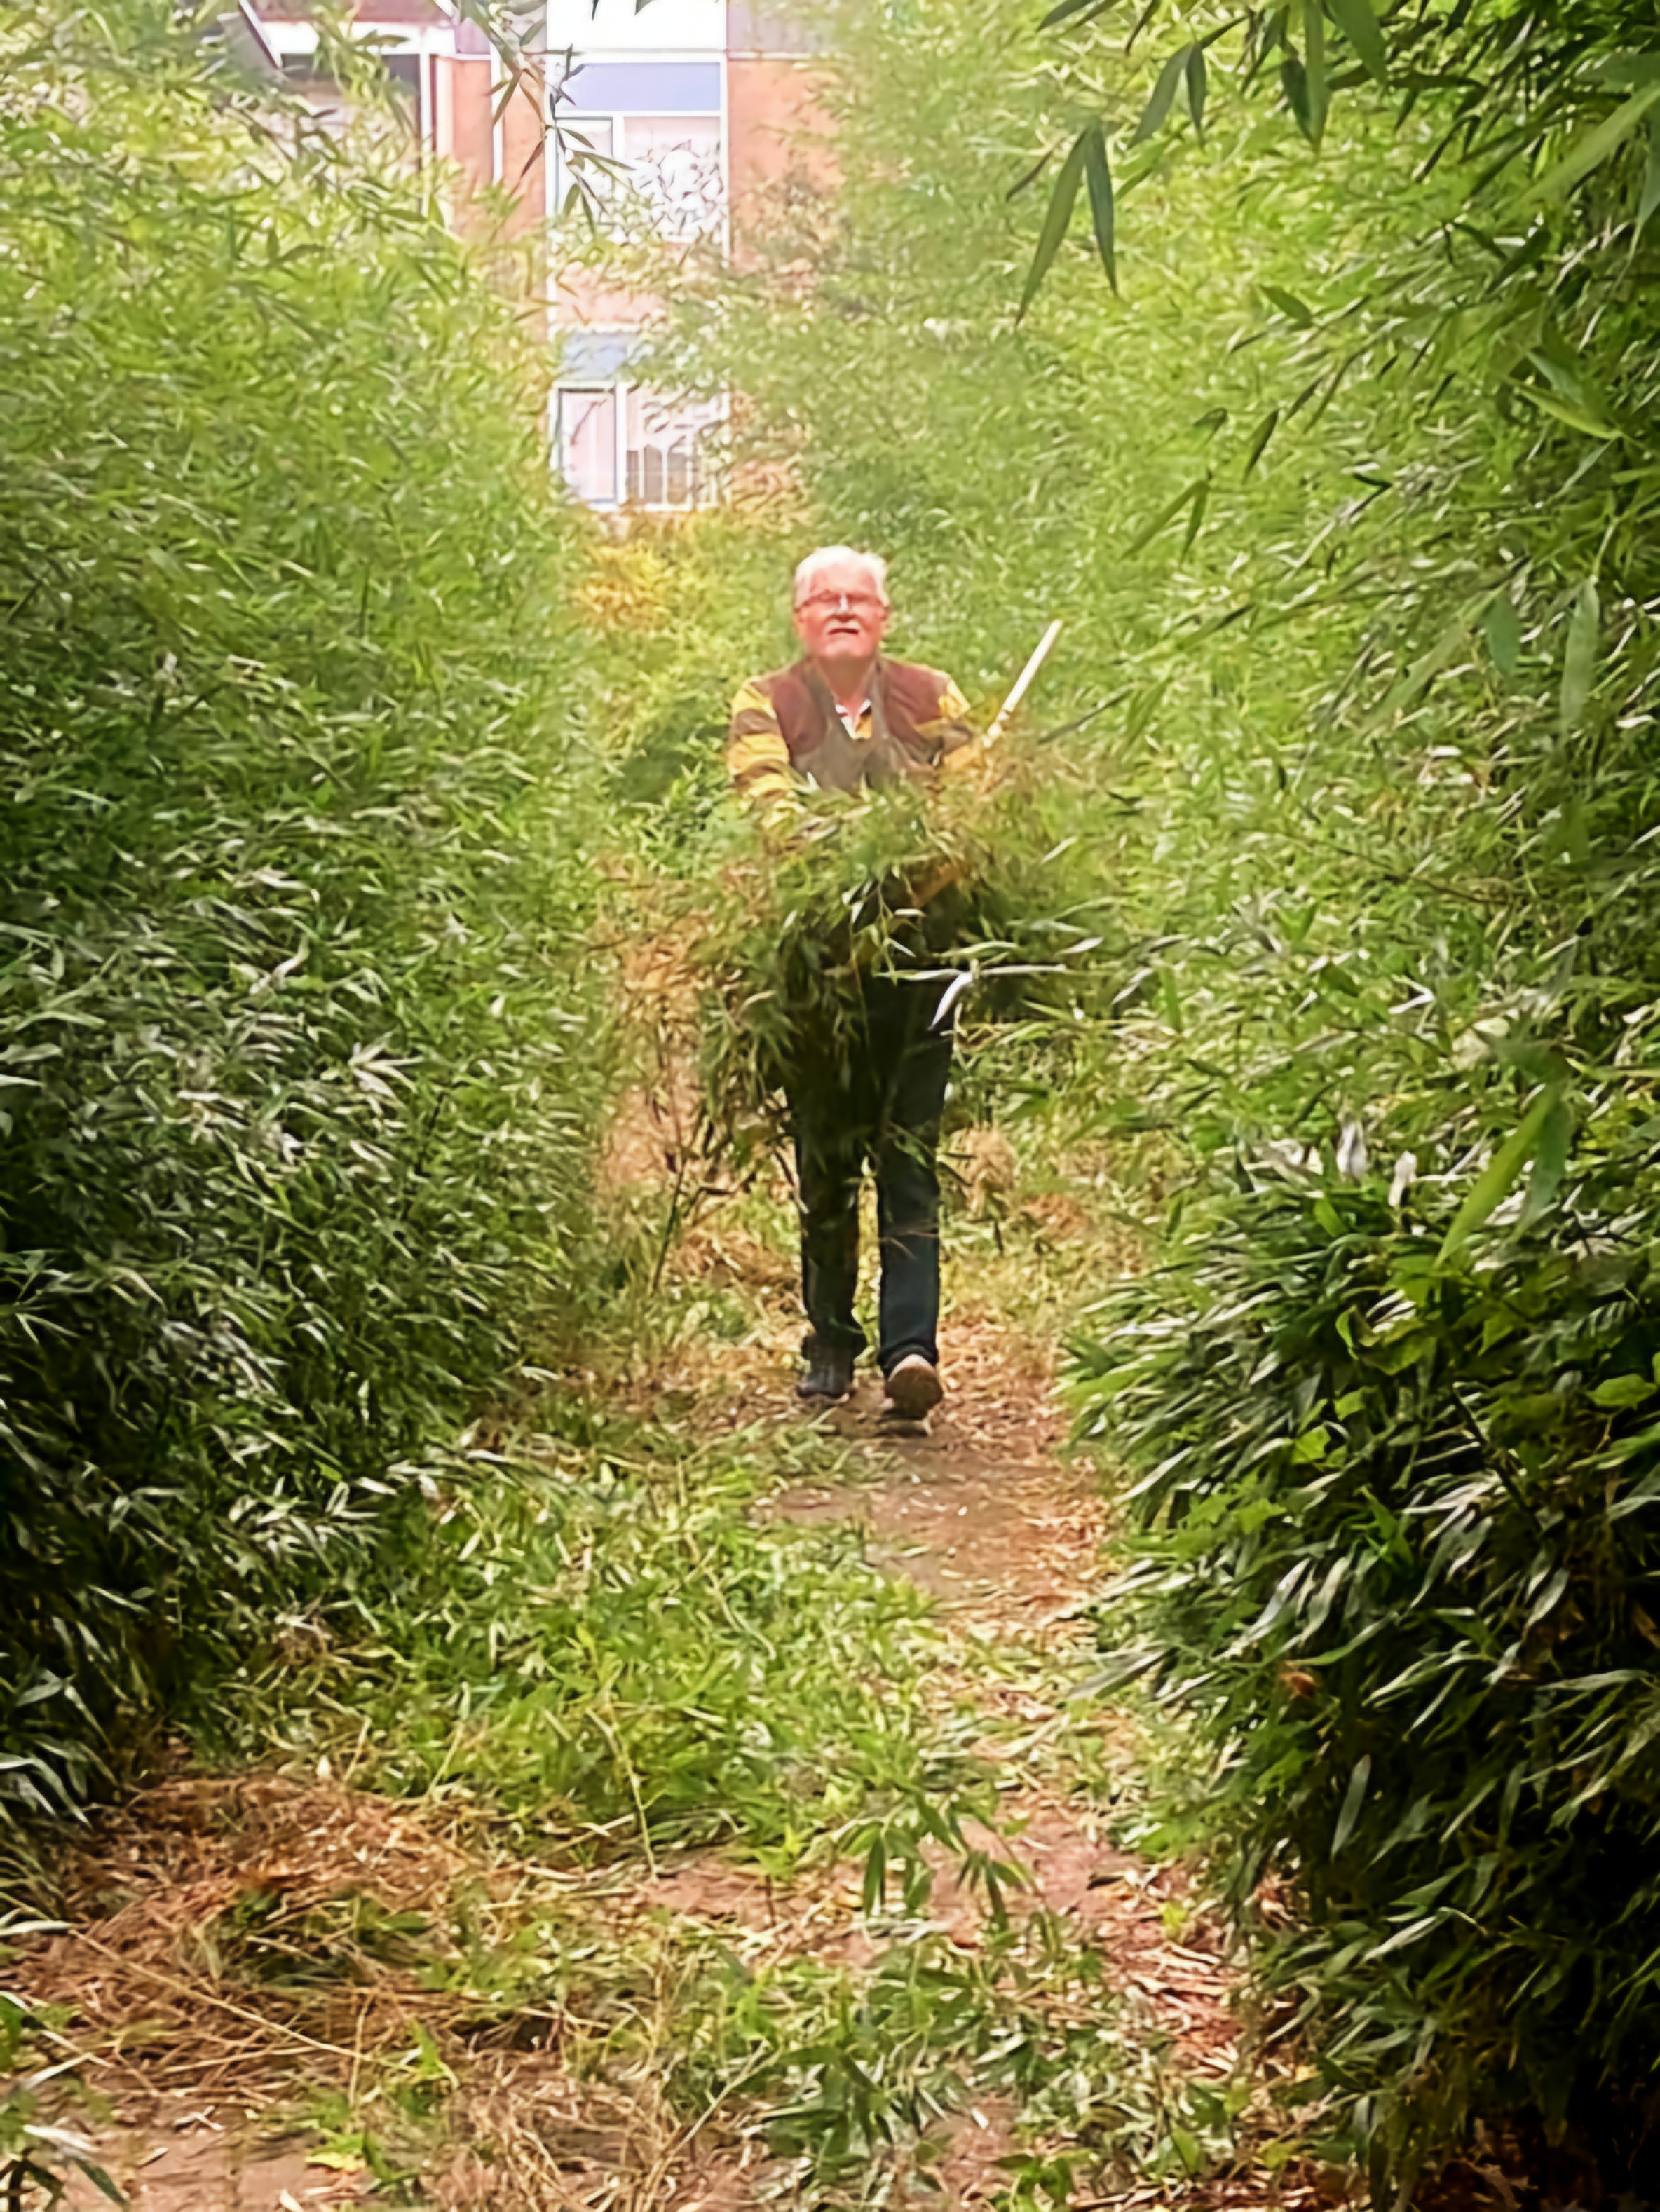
x,y
198,1908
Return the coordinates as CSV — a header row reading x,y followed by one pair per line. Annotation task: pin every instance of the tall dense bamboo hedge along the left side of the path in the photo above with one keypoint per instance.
x,y
291,1076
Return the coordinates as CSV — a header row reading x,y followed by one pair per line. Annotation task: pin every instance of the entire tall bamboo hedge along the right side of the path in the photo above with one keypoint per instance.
x,y
1349,499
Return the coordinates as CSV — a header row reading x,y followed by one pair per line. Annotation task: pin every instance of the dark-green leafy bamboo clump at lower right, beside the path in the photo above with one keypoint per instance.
x,y
1398,1563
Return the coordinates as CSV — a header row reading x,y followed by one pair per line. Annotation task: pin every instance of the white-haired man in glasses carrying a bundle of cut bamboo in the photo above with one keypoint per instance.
x,y
844,718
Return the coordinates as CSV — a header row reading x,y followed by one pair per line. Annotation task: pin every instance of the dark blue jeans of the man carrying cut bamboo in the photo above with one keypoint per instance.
x,y
878,1103
